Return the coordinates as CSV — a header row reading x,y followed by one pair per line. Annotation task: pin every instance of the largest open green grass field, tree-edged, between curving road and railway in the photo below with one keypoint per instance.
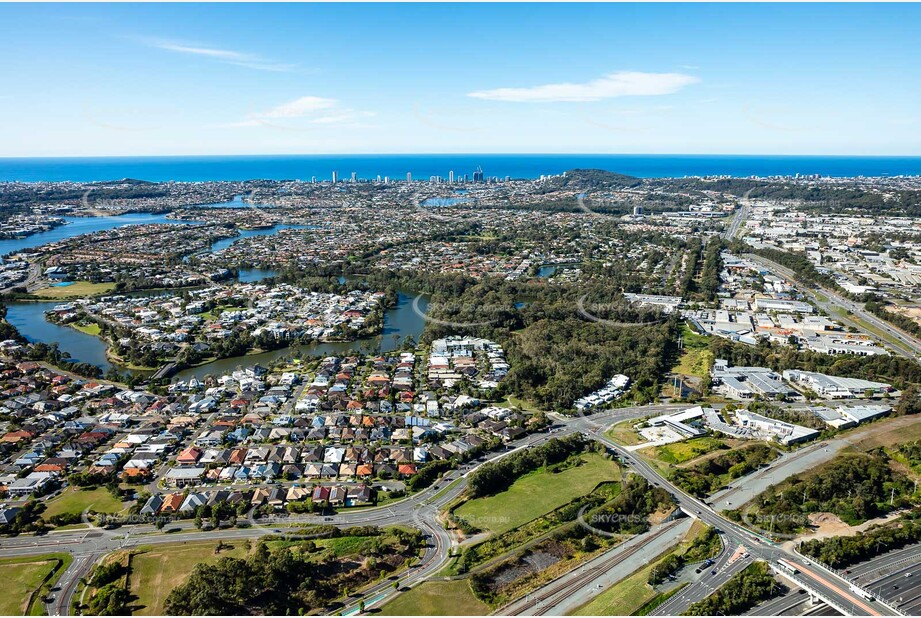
x,y
537,493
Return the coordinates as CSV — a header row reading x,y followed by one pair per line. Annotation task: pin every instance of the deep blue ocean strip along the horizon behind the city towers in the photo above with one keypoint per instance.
x,y
422,167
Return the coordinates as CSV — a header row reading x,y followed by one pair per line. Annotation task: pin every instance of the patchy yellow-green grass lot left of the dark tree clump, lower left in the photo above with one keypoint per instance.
x,y
156,571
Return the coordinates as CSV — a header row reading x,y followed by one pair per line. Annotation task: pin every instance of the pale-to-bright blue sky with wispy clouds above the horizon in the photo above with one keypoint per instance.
x,y
145,79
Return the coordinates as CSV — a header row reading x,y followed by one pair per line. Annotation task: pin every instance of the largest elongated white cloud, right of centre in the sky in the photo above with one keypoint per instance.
x,y
620,84
